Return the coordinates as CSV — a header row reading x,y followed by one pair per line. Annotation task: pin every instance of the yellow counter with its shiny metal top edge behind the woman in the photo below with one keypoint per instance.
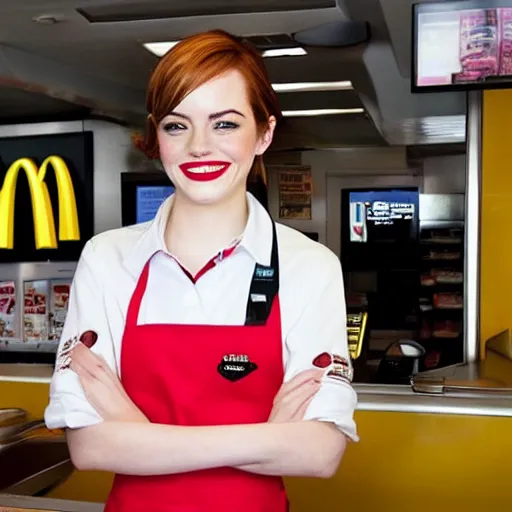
x,y
378,473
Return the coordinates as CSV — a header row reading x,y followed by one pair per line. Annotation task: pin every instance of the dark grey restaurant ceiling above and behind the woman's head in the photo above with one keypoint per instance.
x,y
63,68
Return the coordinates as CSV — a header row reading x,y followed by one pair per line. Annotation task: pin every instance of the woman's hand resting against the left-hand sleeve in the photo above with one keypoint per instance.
x,y
102,387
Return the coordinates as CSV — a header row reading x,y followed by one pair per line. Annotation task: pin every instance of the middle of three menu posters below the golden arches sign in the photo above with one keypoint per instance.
x,y
35,310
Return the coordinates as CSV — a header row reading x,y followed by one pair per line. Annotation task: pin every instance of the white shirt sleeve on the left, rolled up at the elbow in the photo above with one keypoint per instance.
x,y
86,321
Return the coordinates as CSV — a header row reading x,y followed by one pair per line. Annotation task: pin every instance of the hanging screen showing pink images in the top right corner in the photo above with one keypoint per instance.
x,y
462,45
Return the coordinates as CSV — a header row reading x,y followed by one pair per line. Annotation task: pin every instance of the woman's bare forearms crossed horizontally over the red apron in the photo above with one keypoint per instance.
x,y
148,449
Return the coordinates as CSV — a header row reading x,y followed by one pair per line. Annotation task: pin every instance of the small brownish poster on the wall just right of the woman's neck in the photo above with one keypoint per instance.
x,y
295,192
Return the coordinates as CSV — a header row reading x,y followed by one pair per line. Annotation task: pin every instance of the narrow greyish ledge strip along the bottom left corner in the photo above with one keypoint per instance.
x,y
10,503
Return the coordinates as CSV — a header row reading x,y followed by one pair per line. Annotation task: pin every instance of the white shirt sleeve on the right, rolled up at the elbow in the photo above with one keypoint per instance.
x,y
319,339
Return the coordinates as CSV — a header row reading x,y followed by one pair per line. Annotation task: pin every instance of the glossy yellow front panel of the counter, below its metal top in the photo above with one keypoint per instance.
x,y
405,462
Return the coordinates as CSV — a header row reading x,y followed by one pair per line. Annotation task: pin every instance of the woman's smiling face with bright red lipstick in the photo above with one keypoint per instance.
x,y
208,143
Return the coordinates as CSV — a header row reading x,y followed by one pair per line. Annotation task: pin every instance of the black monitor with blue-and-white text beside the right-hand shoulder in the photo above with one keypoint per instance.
x,y
379,228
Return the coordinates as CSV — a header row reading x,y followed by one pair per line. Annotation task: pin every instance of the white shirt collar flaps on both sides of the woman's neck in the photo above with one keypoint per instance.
x,y
256,239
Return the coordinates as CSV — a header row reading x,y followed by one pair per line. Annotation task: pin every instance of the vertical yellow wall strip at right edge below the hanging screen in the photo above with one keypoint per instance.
x,y
496,229
